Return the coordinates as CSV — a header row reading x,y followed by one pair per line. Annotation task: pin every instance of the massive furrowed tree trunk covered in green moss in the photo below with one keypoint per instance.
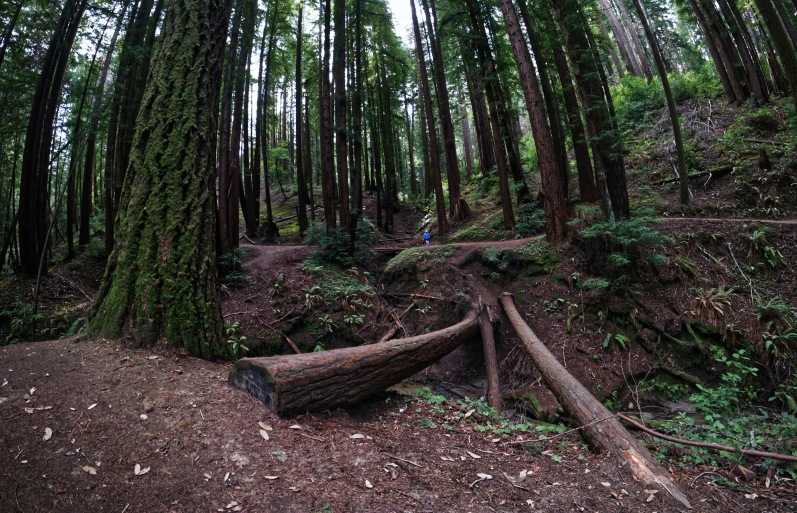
x,y
161,276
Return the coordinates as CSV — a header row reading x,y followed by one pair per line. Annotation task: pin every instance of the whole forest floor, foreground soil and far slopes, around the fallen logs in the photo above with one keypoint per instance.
x,y
79,415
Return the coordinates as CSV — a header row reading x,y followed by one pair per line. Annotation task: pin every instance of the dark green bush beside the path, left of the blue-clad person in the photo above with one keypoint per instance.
x,y
336,246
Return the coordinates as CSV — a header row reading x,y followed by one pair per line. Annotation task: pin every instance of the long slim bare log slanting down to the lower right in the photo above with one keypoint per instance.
x,y
601,427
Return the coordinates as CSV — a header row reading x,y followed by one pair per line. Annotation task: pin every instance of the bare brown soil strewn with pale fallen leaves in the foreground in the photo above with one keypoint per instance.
x,y
201,441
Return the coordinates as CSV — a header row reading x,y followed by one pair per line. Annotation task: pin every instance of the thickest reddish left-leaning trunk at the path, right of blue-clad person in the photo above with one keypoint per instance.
x,y
555,200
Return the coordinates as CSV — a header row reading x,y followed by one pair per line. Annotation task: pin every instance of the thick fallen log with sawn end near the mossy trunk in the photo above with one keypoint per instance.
x,y
329,379
